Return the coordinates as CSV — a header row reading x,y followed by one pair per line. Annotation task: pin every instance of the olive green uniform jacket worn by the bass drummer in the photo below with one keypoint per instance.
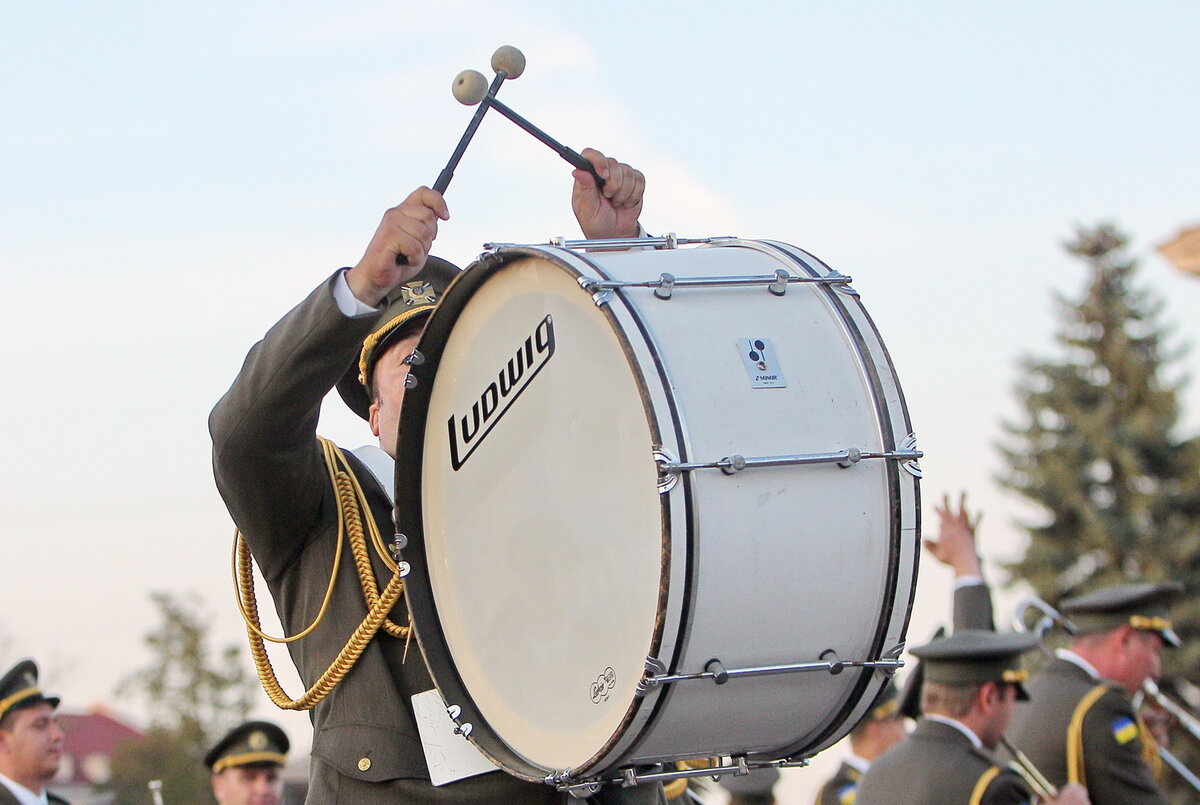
x,y
273,477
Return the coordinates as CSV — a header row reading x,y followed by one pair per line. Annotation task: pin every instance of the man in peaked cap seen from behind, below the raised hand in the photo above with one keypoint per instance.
x,y
973,681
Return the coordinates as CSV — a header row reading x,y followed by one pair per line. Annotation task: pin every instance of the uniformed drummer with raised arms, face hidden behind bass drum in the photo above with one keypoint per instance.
x,y
273,473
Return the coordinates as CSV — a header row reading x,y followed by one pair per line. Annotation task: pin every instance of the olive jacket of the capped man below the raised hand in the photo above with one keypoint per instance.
x,y
939,766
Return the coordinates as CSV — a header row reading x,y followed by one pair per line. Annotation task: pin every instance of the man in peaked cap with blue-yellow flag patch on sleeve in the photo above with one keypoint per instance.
x,y
1082,725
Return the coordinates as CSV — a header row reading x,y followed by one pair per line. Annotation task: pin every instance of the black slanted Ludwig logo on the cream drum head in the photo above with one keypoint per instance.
x,y
470,430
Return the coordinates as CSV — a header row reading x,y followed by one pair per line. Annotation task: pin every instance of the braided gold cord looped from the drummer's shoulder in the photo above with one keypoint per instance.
x,y
351,501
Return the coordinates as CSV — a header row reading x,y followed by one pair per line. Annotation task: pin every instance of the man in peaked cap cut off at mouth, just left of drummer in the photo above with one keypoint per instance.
x,y
248,765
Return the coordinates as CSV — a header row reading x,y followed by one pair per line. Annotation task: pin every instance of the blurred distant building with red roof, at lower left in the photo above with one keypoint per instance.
x,y
88,760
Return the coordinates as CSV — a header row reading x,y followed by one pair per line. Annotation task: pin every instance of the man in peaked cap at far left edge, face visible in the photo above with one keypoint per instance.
x,y
31,738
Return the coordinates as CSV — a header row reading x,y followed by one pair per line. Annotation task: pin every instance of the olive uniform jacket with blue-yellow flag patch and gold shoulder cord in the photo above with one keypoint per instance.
x,y
1114,768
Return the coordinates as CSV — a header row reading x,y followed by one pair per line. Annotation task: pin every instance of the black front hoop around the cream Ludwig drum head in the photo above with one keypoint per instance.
x,y
410,521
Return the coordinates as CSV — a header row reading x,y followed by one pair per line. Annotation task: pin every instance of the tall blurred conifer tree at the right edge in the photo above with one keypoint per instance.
x,y
1101,455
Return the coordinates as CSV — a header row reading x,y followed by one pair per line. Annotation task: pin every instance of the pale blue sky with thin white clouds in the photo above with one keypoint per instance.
x,y
175,177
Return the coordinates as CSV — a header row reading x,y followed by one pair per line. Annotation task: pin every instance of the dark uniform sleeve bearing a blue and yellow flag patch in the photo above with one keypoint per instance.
x,y
1114,767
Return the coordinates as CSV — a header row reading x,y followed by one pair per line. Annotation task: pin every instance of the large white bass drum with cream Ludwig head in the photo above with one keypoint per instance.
x,y
622,468
